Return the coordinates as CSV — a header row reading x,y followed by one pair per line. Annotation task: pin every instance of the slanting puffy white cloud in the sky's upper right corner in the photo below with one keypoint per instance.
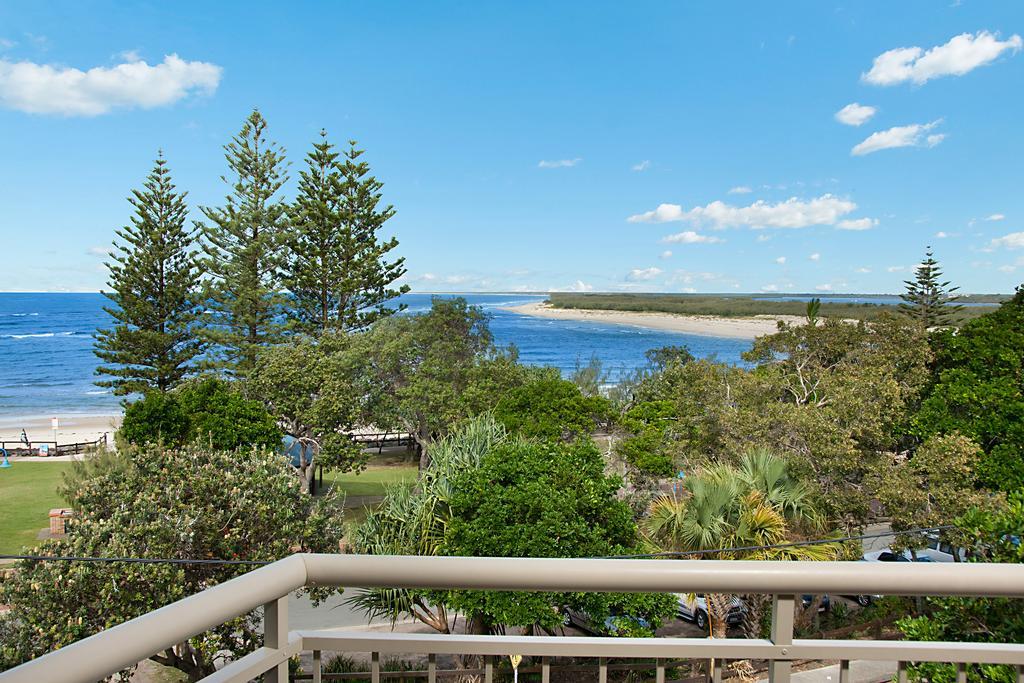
x,y
962,55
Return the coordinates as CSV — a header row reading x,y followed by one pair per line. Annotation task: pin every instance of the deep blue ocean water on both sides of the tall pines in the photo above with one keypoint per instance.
x,y
48,366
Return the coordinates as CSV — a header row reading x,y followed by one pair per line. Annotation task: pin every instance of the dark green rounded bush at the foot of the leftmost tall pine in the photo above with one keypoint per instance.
x,y
207,410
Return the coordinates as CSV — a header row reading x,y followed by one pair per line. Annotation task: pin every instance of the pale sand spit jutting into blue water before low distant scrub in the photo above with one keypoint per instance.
x,y
736,328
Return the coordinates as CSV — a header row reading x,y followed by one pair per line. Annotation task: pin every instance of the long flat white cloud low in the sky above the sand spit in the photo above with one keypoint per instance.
x,y
825,210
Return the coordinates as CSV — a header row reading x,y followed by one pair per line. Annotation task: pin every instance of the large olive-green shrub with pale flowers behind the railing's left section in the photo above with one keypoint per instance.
x,y
186,503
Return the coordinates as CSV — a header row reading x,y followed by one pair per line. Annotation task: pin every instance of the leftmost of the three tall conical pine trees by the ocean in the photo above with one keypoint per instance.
x,y
153,344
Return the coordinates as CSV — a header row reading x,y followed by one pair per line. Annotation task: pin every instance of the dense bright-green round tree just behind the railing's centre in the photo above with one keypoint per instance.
x,y
530,499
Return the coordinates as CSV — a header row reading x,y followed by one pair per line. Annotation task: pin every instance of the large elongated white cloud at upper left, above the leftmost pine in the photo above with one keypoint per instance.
x,y
34,89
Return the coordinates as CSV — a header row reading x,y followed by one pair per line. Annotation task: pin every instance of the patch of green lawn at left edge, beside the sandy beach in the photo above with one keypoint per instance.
x,y
28,492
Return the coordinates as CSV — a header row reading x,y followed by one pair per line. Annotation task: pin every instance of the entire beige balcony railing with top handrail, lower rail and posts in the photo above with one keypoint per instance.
x,y
124,646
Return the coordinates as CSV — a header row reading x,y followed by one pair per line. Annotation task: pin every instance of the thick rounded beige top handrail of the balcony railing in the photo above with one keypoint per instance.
x,y
122,647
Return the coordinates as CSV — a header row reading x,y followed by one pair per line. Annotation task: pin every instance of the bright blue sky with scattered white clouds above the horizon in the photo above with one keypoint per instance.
x,y
603,147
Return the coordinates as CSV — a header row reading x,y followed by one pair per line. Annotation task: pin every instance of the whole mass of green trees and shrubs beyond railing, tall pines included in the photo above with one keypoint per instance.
x,y
845,415
